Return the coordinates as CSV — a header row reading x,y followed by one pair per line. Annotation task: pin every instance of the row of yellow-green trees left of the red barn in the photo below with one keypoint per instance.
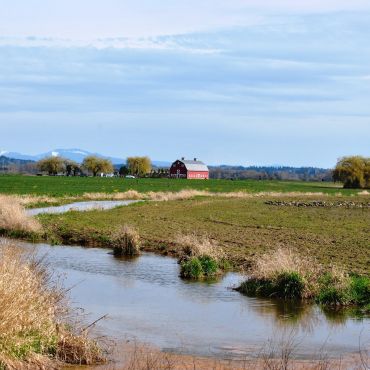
x,y
136,166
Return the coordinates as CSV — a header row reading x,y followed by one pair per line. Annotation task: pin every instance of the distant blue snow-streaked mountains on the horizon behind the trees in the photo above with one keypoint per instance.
x,y
74,154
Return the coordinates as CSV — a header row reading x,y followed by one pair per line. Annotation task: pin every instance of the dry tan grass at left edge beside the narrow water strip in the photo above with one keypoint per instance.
x,y
13,216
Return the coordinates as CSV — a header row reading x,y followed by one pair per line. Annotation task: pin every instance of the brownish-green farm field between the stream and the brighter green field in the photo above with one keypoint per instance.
x,y
245,228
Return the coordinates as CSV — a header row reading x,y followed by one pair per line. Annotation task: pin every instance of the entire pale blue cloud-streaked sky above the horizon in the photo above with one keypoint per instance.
x,y
249,82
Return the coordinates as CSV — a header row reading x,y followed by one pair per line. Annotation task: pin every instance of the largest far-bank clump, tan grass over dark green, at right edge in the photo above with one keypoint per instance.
x,y
285,274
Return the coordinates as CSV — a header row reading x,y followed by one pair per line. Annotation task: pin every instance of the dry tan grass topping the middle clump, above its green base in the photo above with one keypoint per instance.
x,y
199,246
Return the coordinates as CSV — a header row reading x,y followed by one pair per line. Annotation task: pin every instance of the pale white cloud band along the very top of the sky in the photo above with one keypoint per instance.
x,y
93,19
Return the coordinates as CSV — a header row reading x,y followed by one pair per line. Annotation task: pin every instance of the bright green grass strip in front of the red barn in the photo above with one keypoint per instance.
x,y
74,186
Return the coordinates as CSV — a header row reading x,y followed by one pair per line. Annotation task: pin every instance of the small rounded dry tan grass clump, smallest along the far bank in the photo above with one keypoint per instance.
x,y
126,242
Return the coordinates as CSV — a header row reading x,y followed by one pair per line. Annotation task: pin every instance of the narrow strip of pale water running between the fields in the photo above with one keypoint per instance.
x,y
81,206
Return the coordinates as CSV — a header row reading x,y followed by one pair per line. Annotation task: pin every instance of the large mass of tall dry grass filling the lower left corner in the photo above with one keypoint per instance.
x,y
33,316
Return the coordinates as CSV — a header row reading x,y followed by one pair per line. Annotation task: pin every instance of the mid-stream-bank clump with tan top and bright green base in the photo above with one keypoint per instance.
x,y
200,257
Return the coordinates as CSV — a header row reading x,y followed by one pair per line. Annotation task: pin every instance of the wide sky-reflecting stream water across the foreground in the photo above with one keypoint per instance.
x,y
145,299
